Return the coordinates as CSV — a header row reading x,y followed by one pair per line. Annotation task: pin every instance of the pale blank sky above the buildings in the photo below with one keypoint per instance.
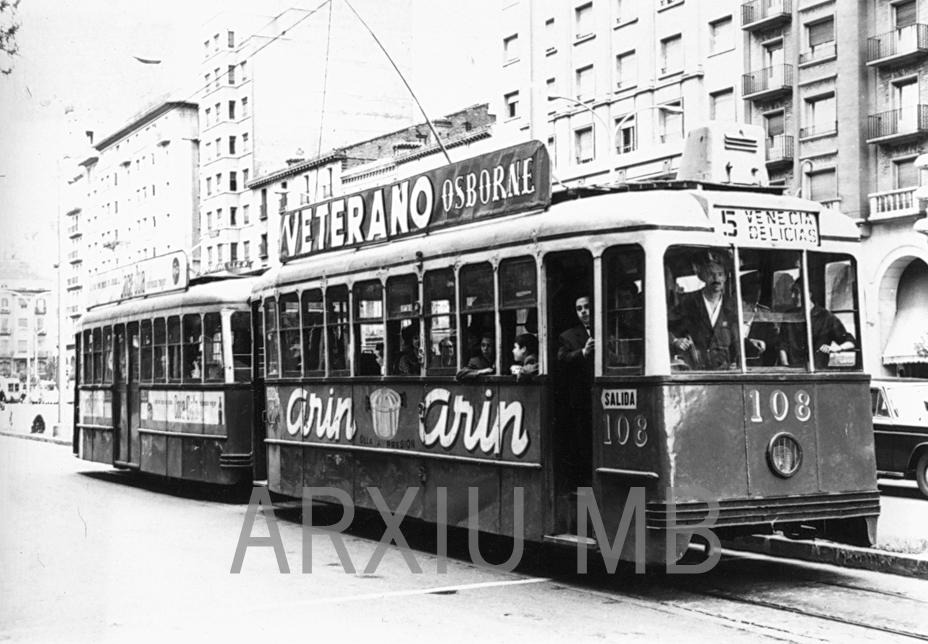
x,y
76,71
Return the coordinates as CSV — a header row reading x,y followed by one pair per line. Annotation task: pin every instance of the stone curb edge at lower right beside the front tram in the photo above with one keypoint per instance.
x,y
835,555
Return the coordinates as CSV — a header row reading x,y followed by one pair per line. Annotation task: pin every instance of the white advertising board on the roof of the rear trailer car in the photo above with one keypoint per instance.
x,y
152,276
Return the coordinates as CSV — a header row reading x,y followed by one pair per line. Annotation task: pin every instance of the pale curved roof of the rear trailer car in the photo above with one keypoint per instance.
x,y
212,294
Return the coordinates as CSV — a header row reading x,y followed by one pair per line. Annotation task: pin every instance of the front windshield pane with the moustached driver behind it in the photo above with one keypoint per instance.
x,y
702,314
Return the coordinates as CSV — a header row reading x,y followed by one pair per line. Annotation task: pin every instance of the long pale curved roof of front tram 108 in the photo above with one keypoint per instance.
x,y
673,210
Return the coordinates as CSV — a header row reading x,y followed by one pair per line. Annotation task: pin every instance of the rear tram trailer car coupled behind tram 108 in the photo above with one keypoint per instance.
x,y
165,385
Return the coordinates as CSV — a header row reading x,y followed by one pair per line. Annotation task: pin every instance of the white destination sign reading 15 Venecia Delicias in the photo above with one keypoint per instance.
x,y
769,227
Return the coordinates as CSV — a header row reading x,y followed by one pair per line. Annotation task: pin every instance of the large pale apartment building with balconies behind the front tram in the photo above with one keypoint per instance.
x,y
612,86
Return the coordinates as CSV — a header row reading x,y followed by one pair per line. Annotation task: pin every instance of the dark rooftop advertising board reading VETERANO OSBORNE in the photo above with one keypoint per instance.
x,y
502,182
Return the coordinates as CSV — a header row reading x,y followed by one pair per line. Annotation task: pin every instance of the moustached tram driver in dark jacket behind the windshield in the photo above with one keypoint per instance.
x,y
704,325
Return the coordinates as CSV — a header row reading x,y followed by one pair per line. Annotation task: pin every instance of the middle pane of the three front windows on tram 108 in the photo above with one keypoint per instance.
x,y
768,312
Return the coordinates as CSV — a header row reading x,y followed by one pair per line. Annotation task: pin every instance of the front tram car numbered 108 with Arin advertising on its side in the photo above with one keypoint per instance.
x,y
779,437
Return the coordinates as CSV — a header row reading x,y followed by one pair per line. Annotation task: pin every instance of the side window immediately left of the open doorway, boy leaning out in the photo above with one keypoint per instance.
x,y
518,289
